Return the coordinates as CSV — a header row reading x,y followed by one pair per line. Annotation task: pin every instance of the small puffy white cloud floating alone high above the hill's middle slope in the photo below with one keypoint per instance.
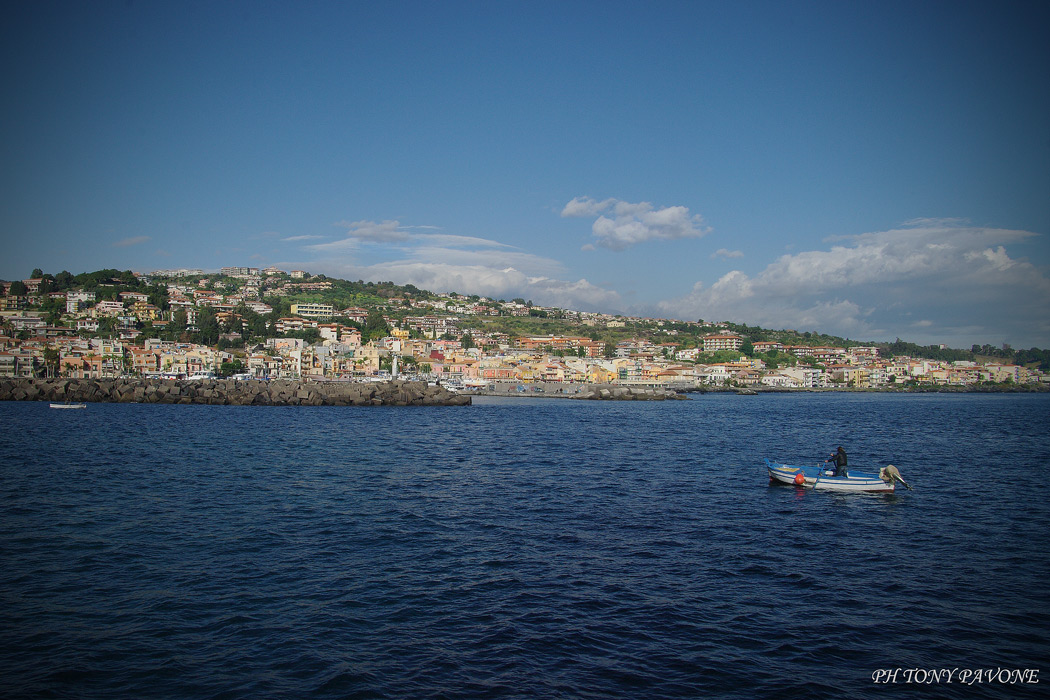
x,y
621,225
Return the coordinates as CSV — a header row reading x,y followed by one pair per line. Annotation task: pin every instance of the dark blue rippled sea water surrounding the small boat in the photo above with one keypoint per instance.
x,y
520,549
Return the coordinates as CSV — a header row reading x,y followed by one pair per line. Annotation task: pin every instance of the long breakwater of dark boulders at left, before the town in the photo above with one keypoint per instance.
x,y
228,392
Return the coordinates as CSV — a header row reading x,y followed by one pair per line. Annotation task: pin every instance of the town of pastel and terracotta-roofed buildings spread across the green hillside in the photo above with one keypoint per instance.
x,y
157,326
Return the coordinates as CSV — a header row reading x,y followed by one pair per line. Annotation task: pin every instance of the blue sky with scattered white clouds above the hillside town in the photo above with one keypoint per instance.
x,y
873,171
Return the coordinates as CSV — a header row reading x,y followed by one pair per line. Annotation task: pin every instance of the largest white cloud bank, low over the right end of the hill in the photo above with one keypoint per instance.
x,y
874,285
